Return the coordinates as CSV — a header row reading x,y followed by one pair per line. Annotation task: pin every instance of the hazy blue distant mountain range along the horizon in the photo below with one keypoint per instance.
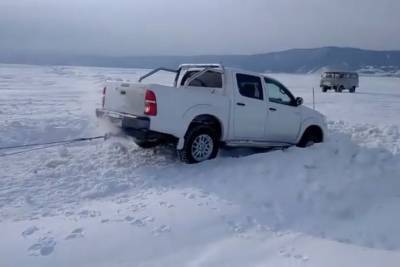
x,y
290,61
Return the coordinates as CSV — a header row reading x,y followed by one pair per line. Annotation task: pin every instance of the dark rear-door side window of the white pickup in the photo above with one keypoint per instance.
x,y
250,86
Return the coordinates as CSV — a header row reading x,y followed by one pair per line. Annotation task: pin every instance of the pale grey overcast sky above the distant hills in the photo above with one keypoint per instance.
x,y
192,27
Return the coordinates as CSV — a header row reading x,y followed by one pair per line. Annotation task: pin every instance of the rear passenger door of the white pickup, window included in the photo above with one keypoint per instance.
x,y
249,108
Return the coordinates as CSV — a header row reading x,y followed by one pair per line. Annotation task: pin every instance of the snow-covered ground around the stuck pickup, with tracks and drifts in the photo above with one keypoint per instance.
x,y
110,203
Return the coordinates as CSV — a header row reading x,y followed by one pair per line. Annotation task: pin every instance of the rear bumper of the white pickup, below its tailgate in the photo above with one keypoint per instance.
x,y
136,126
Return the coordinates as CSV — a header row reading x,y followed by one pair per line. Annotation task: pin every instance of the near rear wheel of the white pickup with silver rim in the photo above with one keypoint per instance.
x,y
197,139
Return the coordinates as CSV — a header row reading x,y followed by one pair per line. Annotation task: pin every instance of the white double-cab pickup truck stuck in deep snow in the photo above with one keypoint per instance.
x,y
208,106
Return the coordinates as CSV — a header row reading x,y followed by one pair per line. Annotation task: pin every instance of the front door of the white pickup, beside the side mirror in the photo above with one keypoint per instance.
x,y
284,116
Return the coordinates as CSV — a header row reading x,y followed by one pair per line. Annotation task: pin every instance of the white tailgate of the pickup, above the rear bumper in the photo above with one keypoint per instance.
x,y
125,98
